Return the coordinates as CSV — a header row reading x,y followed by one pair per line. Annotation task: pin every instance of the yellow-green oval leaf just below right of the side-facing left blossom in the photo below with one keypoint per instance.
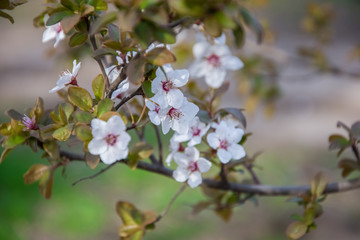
x,y
80,98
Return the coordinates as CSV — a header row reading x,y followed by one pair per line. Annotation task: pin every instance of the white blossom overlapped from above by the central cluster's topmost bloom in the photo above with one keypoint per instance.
x,y
178,119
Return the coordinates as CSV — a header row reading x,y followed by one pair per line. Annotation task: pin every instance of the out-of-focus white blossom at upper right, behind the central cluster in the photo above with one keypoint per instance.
x,y
212,62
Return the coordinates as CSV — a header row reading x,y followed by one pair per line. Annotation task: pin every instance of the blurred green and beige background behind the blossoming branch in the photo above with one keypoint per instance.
x,y
294,142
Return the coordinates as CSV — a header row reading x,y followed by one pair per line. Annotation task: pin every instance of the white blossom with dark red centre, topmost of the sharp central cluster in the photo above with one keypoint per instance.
x,y
165,86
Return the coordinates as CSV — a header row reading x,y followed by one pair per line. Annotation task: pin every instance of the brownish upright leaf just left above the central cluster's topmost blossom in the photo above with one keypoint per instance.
x,y
136,70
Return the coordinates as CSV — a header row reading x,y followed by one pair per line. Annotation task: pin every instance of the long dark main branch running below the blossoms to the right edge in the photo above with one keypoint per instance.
x,y
264,190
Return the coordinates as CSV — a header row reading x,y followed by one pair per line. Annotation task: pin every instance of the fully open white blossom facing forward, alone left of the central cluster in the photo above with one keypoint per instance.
x,y
110,140
